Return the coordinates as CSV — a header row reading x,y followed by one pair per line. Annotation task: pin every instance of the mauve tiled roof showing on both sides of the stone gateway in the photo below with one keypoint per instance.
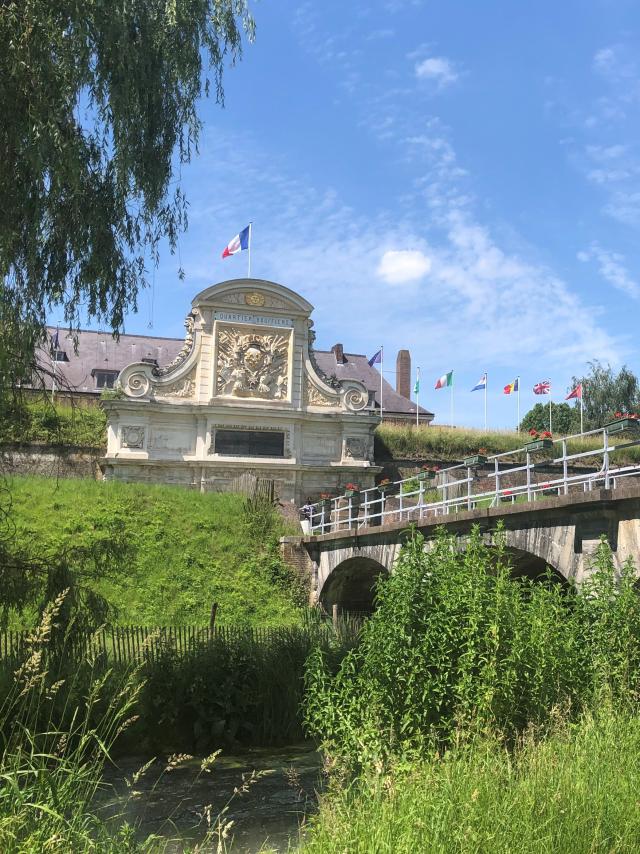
x,y
100,351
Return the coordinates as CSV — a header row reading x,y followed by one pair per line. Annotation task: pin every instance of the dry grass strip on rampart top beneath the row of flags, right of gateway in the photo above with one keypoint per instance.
x,y
447,444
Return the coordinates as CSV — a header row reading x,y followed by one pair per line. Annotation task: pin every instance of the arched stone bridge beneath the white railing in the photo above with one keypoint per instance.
x,y
558,532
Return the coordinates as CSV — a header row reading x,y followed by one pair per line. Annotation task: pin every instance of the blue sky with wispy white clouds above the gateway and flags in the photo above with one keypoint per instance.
x,y
458,178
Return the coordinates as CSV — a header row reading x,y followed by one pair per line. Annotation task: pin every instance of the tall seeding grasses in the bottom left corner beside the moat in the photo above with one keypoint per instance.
x,y
51,762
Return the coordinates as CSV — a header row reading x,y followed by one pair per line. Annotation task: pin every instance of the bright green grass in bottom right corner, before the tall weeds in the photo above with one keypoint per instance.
x,y
575,791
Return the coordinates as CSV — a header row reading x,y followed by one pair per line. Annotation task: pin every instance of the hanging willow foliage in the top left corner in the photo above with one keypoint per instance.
x,y
99,107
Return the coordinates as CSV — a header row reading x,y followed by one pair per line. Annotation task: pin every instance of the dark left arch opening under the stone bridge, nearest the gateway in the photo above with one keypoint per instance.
x,y
351,585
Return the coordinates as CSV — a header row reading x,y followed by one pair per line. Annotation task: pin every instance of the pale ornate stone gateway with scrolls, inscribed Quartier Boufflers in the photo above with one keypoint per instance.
x,y
244,393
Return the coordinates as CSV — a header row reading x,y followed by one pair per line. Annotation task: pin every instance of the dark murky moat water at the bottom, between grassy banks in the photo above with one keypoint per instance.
x,y
267,794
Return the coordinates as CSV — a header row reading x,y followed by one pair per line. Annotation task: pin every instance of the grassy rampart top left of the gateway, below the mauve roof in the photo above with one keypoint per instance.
x,y
40,422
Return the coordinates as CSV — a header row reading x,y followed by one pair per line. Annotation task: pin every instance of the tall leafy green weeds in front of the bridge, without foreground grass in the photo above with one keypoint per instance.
x,y
458,646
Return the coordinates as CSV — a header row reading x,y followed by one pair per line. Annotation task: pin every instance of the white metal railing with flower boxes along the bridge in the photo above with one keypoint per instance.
x,y
412,499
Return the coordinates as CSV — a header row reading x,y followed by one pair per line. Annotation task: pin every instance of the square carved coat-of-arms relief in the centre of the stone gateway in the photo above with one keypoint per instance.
x,y
252,365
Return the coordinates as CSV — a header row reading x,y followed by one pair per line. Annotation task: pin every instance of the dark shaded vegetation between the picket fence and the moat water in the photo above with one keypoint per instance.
x,y
238,689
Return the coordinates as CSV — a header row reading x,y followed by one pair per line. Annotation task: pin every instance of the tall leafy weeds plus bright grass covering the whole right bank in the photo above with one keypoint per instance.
x,y
483,713
